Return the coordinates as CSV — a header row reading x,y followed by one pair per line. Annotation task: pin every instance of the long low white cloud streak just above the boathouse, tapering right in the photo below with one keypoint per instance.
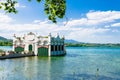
x,y
44,28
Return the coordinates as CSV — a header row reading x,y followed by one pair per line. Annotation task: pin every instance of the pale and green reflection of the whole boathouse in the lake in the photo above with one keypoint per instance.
x,y
37,68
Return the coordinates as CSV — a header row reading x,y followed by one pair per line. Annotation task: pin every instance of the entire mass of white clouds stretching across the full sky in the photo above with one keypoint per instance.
x,y
94,27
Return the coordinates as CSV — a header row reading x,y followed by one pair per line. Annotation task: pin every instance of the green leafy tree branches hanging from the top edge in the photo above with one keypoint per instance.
x,y
53,8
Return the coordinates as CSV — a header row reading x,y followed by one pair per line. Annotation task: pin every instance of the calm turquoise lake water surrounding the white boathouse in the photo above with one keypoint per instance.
x,y
79,64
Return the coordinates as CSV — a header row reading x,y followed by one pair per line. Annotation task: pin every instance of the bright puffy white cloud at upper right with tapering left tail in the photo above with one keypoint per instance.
x,y
94,18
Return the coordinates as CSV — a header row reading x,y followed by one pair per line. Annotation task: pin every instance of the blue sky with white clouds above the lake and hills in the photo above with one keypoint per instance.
x,y
93,21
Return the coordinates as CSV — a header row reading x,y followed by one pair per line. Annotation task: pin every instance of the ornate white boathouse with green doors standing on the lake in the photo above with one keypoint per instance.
x,y
39,45
